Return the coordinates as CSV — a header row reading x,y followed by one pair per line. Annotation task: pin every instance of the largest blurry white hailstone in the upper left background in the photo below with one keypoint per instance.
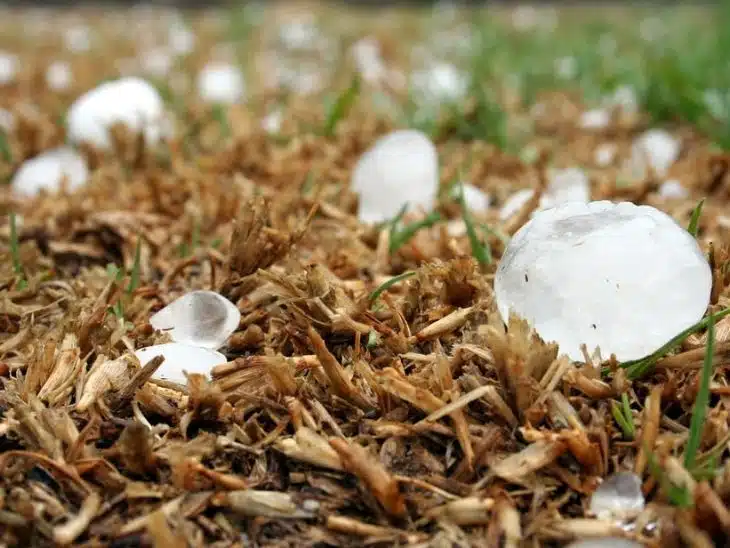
x,y
130,101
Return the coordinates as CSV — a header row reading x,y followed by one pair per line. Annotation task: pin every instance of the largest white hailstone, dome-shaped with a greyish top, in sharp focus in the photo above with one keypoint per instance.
x,y
623,277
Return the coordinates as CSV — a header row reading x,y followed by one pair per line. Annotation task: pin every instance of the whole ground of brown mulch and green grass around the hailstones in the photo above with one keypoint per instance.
x,y
413,417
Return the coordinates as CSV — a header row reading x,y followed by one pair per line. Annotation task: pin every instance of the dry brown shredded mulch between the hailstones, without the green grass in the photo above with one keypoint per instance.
x,y
419,419
